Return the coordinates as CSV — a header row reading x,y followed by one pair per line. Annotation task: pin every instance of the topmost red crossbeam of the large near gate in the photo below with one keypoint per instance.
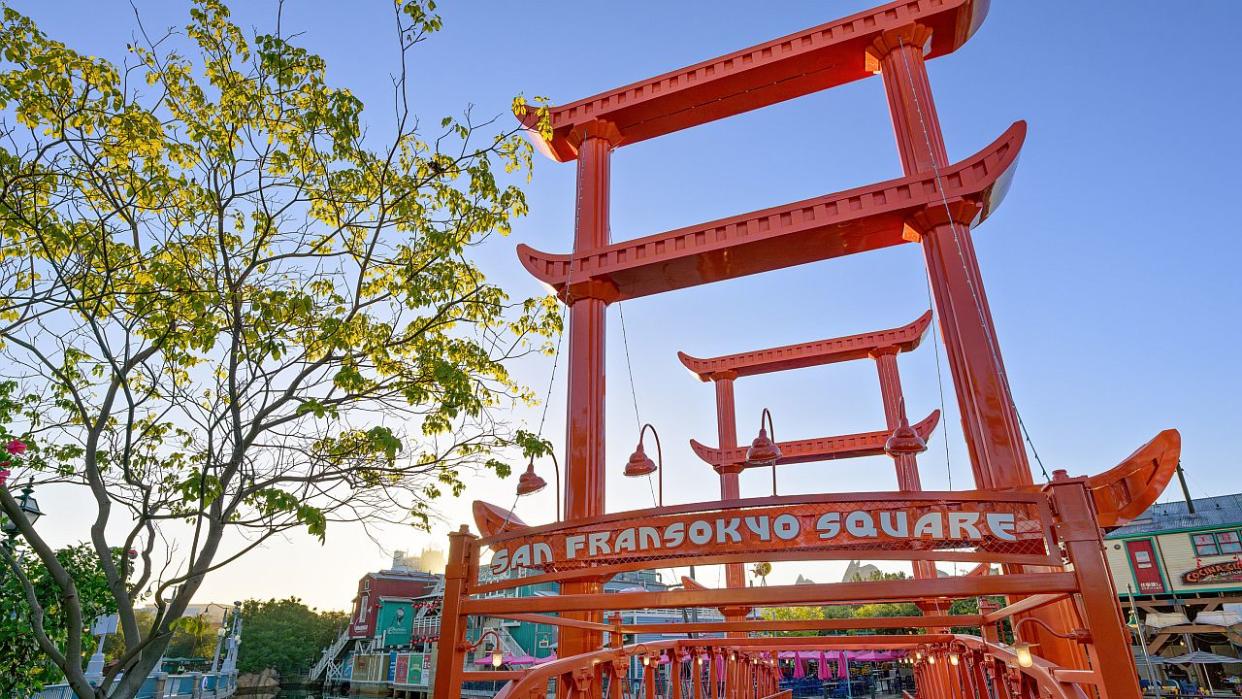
x,y
800,64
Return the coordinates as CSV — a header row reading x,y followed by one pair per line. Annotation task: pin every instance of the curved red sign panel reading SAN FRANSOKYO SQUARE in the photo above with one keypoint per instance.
x,y
814,526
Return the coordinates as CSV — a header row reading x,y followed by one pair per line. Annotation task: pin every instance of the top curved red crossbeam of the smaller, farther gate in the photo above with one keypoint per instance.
x,y
809,354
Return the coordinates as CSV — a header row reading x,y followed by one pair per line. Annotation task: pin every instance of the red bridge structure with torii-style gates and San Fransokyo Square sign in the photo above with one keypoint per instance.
x,y
1044,542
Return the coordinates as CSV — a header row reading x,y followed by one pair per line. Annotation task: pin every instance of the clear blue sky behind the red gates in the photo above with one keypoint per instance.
x,y
1112,268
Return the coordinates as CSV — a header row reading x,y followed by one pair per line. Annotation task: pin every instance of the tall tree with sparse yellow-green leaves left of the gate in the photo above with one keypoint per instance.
x,y
228,305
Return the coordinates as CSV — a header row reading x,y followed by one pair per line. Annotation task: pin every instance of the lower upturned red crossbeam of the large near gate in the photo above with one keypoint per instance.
x,y
835,225
